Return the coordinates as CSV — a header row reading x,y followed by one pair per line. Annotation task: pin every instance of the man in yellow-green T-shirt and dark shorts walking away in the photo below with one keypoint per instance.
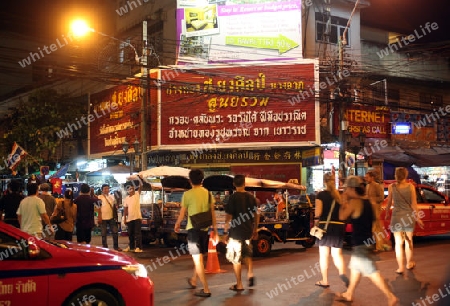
x,y
195,201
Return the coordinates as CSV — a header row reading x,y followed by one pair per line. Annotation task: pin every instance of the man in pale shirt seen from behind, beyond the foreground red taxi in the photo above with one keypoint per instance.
x,y
31,214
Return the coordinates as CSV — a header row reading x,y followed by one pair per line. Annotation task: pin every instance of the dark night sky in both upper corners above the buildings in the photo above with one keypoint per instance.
x,y
48,19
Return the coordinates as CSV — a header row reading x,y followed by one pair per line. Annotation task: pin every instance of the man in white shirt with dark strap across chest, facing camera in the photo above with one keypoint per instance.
x,y
106,217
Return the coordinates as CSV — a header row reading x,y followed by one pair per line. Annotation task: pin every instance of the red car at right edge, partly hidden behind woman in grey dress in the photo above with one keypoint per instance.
x,y
433,206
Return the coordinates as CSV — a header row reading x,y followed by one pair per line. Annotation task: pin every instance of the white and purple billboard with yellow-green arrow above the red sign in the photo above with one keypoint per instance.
x,y
230,31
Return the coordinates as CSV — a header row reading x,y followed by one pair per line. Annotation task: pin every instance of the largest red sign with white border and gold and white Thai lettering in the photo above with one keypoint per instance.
x,y
252,106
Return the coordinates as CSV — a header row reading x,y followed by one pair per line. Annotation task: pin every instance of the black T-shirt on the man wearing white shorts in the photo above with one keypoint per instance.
x,y
243,209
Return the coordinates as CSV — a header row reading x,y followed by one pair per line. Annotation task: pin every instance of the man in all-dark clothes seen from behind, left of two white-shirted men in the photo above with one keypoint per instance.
x,y
86,205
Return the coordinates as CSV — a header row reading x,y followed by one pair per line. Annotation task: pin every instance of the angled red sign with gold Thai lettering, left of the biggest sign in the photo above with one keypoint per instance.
x,y
115,118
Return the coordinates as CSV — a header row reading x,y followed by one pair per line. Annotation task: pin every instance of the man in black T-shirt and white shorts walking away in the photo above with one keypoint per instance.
x,y
242,219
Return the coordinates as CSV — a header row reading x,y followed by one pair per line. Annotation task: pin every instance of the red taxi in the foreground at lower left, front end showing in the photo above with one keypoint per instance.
x,y
53,273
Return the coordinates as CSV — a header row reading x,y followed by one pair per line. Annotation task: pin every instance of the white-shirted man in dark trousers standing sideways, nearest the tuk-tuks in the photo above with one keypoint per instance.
x,y
133,218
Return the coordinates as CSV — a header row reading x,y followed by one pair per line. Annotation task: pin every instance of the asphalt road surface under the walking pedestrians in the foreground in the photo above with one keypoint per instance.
x,y
288,275
